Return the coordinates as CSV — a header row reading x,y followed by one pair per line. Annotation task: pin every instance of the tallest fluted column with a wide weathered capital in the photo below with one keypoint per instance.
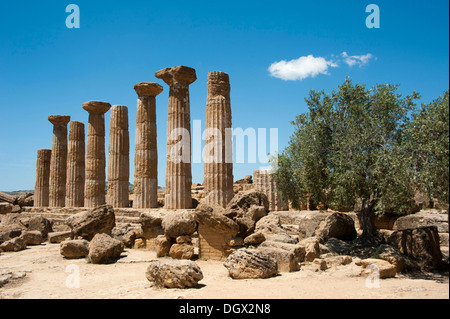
x,y
178,171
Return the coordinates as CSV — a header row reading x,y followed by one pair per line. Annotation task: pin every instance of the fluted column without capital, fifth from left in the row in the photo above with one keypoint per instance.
x,y
119,158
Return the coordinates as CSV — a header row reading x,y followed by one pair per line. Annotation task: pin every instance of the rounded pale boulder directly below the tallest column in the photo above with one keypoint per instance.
x,y
178,223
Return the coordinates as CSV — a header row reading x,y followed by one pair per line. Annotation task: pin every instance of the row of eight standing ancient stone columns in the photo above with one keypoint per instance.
x,y
67,176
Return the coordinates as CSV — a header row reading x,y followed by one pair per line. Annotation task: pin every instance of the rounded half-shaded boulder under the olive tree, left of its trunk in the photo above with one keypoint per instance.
x,y
337,225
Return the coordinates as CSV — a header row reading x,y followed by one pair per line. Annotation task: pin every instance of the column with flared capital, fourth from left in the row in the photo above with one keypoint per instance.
x,y
94,191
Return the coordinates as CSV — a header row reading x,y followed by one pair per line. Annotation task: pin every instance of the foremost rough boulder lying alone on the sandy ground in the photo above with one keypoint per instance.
x,y
174,273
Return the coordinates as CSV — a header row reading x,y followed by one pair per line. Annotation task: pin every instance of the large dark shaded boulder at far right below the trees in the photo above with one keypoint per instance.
x,y
420,243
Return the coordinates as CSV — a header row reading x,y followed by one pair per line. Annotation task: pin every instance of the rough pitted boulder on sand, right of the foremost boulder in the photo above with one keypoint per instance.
x,y
250,264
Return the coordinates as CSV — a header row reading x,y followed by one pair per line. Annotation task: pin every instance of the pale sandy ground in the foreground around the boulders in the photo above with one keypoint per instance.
x,y
45,274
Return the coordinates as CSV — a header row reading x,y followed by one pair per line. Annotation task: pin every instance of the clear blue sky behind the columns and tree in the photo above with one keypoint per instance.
x,y
46,68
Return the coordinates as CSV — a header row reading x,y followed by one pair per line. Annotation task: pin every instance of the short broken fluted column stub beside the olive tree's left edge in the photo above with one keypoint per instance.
x,y
264,182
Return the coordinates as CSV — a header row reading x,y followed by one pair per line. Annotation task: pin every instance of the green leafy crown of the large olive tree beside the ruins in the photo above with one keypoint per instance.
x,y
351,146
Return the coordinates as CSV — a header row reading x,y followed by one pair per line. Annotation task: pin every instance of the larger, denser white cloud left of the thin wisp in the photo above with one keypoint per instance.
x,y
301,68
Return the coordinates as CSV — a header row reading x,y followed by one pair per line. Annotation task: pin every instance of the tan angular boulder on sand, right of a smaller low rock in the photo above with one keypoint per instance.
x,y
104,249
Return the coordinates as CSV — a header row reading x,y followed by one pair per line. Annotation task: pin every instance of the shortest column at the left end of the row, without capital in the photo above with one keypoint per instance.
x,y
41,186
